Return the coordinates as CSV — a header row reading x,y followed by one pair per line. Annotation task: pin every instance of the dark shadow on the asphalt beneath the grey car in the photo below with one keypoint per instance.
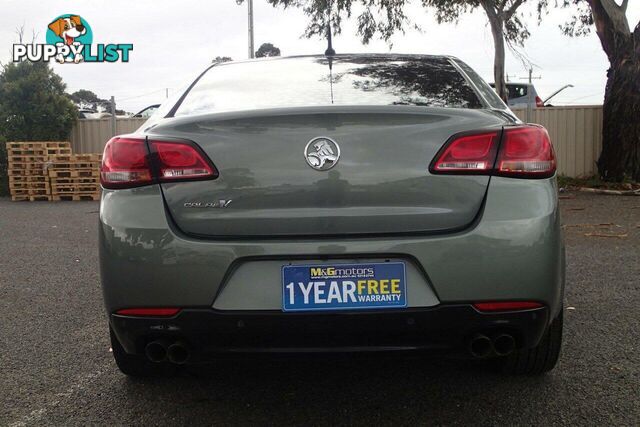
x,y
339,389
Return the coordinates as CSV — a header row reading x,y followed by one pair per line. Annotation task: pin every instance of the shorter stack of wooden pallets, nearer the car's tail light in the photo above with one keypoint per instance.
x,y
74,176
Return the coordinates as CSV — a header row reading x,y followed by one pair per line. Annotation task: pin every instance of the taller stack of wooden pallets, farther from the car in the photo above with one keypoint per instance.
x,y
27,177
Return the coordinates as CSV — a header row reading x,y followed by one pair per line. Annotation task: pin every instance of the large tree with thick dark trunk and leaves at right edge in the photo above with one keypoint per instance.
x,y
620,157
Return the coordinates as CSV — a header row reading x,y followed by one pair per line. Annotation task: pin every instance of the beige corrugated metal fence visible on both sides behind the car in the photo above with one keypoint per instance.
x,y
576,133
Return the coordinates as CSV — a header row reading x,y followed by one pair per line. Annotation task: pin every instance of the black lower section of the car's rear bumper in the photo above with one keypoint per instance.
x,y
445,329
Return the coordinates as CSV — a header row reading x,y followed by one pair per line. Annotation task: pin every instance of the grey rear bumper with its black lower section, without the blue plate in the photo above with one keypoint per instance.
x,y
512,252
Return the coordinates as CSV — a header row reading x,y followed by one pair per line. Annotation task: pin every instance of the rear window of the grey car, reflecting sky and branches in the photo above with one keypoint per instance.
x,y
320,81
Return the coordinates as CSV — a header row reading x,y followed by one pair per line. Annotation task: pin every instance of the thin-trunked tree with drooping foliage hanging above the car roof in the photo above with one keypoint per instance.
x,y
386,17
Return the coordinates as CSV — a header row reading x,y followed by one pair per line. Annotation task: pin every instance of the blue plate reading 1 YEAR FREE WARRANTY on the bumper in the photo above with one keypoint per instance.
x,y
344,286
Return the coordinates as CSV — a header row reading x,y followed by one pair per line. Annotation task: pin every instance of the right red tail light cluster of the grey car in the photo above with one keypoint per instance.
x,y
519,151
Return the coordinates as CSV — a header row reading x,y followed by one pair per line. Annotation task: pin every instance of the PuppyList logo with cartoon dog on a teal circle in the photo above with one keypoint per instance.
x,y
70,40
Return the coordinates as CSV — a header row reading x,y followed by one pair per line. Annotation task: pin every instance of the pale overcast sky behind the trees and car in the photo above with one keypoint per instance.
x,y
174,40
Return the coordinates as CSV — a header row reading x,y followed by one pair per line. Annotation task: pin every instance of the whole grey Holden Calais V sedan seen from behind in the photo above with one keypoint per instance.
x,y
346,203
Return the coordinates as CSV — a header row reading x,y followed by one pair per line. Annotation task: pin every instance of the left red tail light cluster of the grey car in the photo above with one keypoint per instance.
x,y
127,162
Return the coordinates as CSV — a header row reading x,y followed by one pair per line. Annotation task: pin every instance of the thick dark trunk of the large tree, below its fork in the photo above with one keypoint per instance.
x,y
620,157
